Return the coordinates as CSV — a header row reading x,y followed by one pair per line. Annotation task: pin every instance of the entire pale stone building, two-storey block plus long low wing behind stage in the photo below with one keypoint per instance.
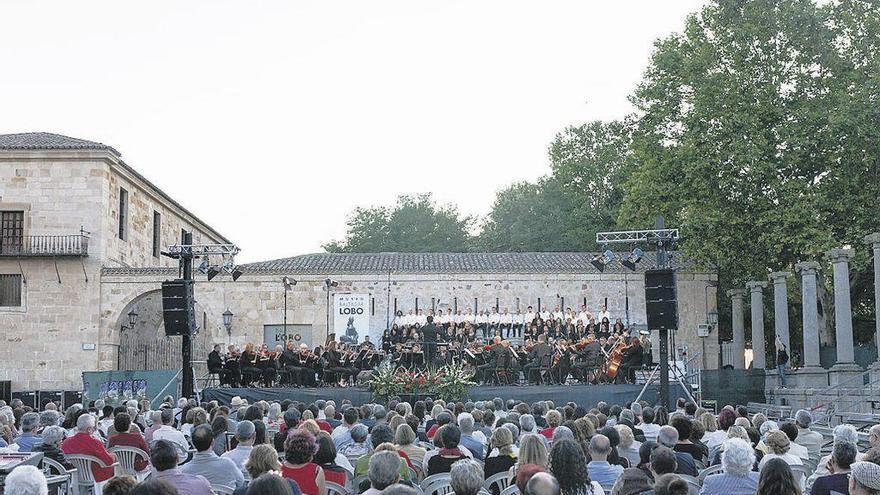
x,y
79,320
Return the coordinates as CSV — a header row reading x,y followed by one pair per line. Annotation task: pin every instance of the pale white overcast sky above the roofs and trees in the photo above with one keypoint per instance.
x,y
273,120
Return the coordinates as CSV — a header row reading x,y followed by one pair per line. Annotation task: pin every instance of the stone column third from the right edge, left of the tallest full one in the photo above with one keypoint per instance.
x,y
811,374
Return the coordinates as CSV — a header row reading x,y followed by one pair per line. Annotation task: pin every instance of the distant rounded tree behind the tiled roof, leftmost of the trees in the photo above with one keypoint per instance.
x,y
414,224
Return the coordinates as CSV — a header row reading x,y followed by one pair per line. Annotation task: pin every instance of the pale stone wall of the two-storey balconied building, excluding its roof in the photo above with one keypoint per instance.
x,y
57,333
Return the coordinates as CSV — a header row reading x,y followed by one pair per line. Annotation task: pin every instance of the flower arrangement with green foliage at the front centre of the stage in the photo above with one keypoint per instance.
x,y
447,383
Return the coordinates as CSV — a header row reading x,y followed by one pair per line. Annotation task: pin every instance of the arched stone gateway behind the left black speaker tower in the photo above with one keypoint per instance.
x,y
146,347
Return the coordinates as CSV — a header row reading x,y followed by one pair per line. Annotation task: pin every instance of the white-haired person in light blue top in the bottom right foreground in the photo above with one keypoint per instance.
x,y
738,477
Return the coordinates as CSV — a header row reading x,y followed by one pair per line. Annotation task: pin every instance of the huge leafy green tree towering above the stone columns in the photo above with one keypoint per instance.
x,y
758,135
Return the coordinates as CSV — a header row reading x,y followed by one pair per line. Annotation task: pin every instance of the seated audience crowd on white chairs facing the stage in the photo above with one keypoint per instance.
x,y
290,447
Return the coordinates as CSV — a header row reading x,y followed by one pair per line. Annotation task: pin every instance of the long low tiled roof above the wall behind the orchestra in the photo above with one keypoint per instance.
x,y
332,263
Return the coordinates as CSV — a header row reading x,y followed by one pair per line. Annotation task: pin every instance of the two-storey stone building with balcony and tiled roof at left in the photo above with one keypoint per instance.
x,y
70,208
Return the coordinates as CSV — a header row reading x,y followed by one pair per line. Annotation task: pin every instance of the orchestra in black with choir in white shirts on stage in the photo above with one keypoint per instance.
x,y
535,347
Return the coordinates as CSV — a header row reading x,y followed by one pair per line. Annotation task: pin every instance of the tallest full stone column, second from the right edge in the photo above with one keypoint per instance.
x,y
845,365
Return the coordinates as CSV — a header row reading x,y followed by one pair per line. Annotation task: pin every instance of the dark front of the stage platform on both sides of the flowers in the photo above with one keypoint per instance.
x,y
585,395
